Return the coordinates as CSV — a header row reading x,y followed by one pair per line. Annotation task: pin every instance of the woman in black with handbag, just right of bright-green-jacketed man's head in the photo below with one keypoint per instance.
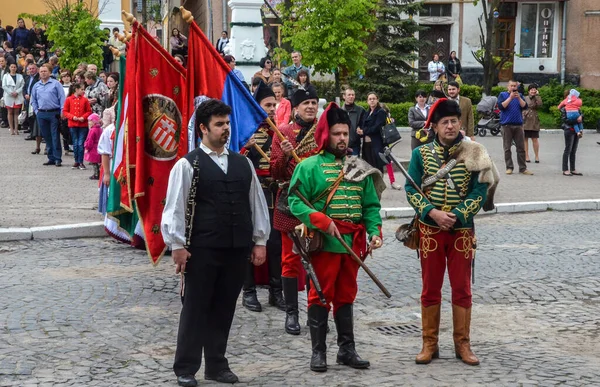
x,y
370,131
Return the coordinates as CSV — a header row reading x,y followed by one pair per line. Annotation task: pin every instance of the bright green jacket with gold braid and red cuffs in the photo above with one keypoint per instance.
x,y
354,202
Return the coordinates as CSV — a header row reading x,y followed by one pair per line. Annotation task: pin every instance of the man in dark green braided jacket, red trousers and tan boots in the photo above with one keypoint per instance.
x,y
453,195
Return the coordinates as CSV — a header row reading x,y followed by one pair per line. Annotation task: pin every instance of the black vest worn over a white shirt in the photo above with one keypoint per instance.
x,y
222,218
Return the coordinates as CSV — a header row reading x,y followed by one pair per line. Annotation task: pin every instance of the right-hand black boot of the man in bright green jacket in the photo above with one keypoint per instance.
x,y
344,324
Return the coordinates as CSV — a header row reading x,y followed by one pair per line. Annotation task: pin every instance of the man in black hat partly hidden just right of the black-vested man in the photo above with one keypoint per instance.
x,y
263,139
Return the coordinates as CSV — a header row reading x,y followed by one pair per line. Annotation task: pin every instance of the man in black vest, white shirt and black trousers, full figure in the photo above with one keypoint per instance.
x,y
215,212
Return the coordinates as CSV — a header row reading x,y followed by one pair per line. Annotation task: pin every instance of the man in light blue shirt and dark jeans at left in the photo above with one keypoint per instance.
x,y
47,100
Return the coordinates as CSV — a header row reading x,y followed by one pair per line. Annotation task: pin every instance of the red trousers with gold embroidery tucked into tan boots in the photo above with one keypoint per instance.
x,y
438,249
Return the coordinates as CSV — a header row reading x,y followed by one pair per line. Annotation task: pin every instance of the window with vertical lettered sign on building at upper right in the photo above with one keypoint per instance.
x,y
537,30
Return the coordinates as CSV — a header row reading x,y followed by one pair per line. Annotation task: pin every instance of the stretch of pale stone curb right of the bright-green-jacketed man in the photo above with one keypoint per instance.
x,y
507,208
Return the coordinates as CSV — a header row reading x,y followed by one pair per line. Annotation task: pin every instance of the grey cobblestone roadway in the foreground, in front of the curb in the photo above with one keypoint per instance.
x,y
92,312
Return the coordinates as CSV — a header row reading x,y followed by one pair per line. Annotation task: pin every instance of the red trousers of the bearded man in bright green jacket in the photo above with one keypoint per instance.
x,y
337,276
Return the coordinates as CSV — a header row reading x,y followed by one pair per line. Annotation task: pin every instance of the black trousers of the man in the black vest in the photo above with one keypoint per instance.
x,y
213,282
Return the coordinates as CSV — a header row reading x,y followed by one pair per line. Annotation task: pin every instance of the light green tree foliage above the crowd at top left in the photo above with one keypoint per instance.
x,y
75,31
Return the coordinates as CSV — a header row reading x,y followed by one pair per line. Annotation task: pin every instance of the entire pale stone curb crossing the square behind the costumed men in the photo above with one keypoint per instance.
x,y
96,229
